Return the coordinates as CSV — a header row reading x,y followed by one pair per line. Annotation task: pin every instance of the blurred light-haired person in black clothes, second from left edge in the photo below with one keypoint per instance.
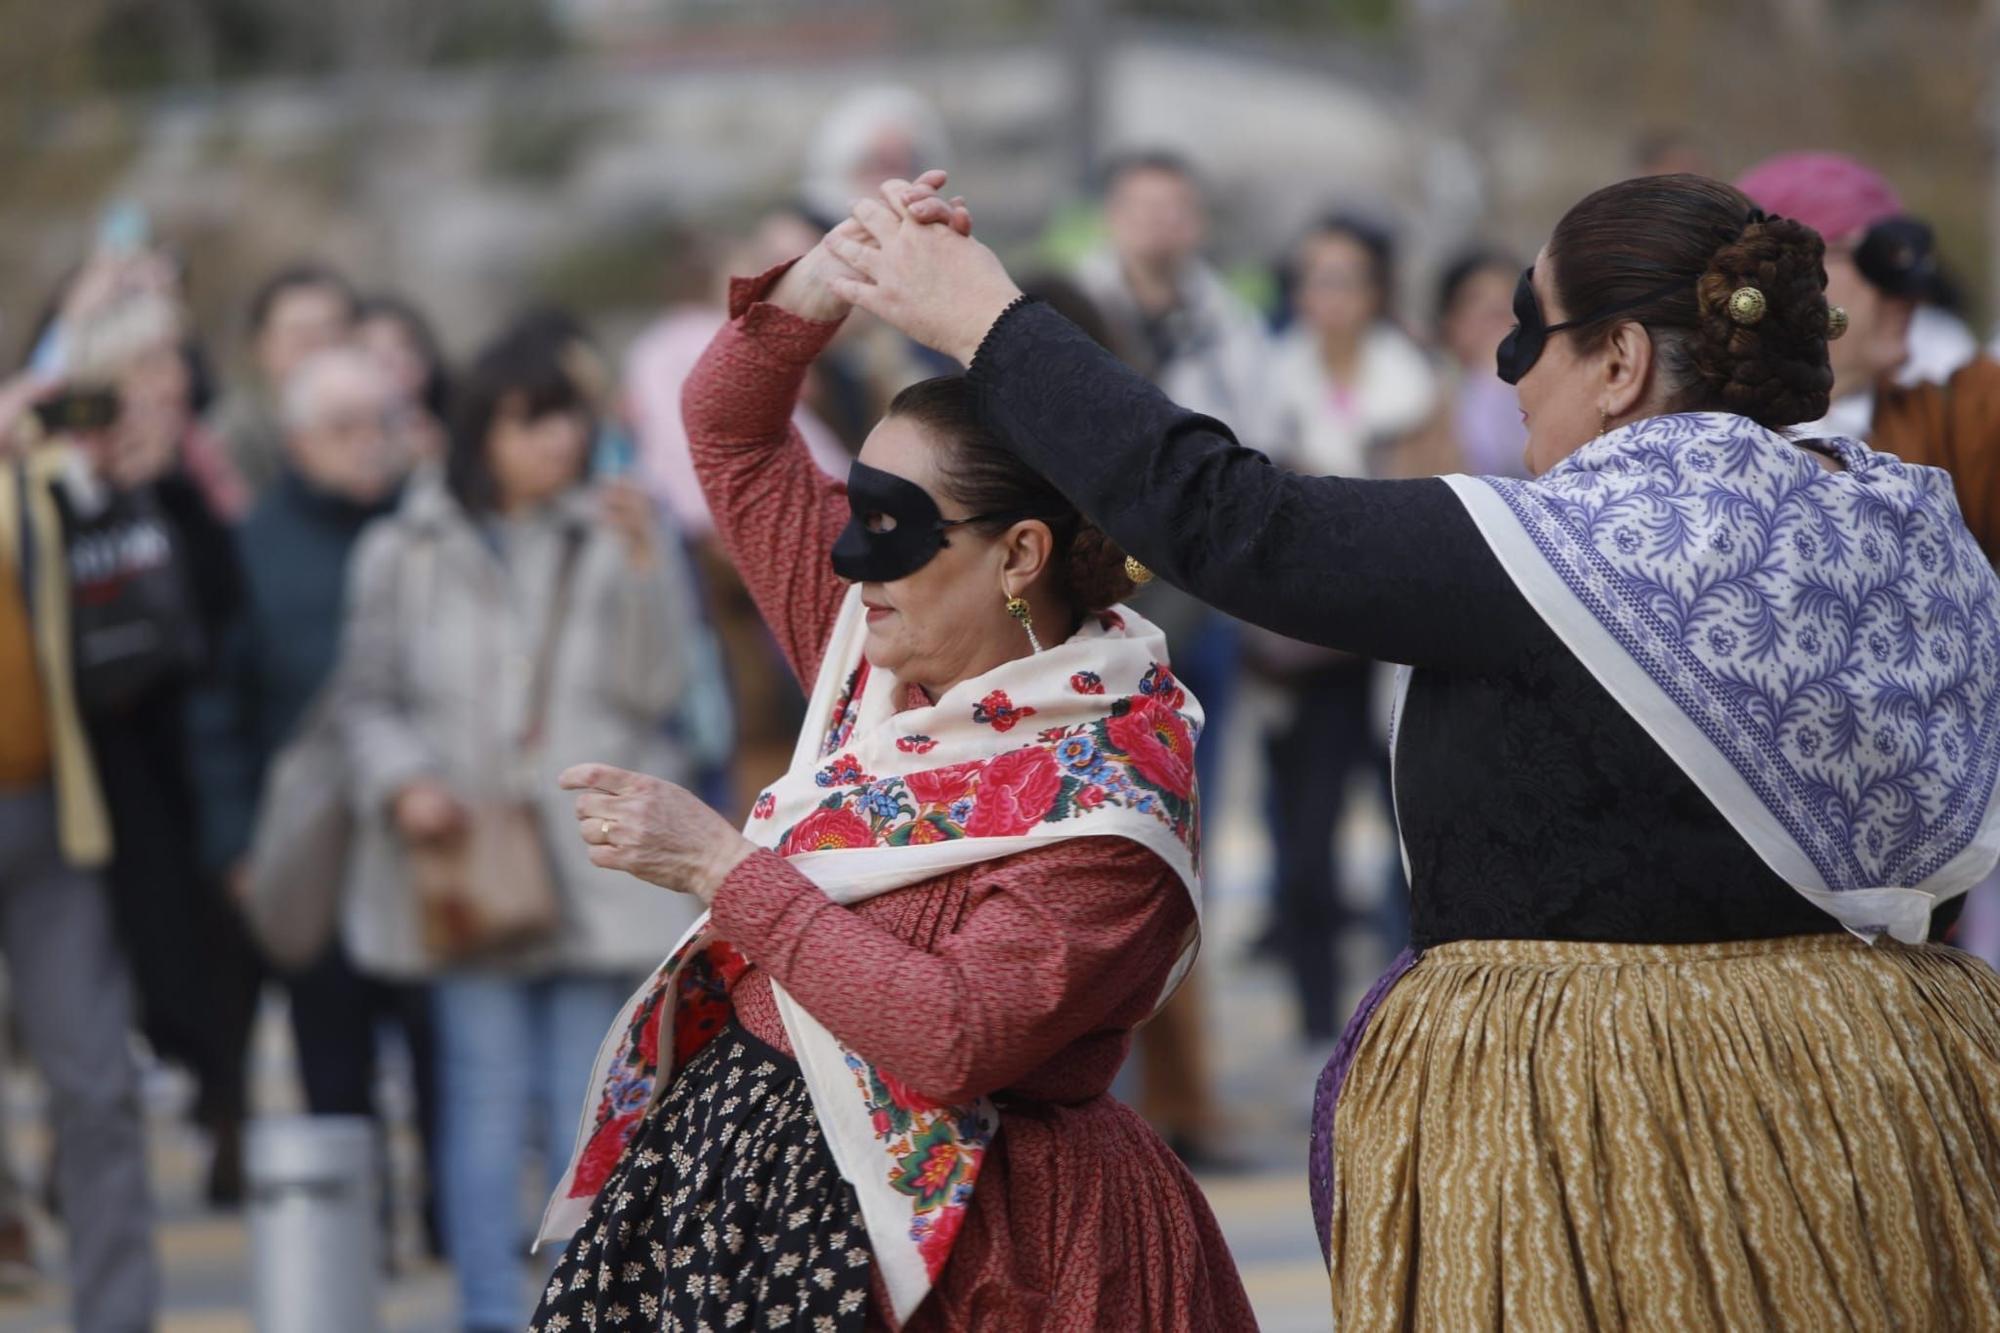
x,y
155,579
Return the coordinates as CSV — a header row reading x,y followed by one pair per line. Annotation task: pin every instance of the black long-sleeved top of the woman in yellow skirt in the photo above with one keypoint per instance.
x,y
1531,804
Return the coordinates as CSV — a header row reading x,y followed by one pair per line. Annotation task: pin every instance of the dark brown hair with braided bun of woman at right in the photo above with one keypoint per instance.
x,y
1667,253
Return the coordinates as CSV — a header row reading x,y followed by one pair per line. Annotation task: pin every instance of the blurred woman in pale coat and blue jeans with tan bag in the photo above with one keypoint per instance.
x,y
507,621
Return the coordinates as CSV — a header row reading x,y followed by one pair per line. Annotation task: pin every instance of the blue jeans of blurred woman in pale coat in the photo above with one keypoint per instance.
x,y
513,1070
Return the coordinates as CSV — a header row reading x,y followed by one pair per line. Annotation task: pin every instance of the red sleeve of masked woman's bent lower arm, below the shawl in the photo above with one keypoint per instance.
x,y
1061,942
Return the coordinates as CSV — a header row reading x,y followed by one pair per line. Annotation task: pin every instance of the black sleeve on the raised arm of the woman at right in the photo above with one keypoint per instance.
x,y
1389,569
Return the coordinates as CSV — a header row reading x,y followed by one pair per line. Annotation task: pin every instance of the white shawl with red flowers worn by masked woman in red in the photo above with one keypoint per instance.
x,y
1089,740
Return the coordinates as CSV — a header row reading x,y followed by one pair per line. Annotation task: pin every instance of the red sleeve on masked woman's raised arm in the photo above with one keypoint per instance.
x,y
775,511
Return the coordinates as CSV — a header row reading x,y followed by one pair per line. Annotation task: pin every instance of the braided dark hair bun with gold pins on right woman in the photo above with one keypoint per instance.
x,y
1775,369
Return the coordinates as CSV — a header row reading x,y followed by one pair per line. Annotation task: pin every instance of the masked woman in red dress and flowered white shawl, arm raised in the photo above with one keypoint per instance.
x,y
871,1090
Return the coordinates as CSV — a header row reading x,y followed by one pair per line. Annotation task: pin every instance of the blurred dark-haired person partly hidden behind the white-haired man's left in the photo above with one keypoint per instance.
x,y
295,313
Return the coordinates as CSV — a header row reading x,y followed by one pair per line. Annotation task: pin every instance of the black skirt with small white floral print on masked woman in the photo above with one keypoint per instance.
x,y
727,1212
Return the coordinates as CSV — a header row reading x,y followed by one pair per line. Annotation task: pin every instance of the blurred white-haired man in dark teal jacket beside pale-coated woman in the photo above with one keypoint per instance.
x,y
343,467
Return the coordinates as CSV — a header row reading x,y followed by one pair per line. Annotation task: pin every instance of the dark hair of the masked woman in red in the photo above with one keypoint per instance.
x,y
983,475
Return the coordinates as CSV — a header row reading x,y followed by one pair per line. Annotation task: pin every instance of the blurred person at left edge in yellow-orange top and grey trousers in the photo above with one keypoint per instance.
x,y
71,990
